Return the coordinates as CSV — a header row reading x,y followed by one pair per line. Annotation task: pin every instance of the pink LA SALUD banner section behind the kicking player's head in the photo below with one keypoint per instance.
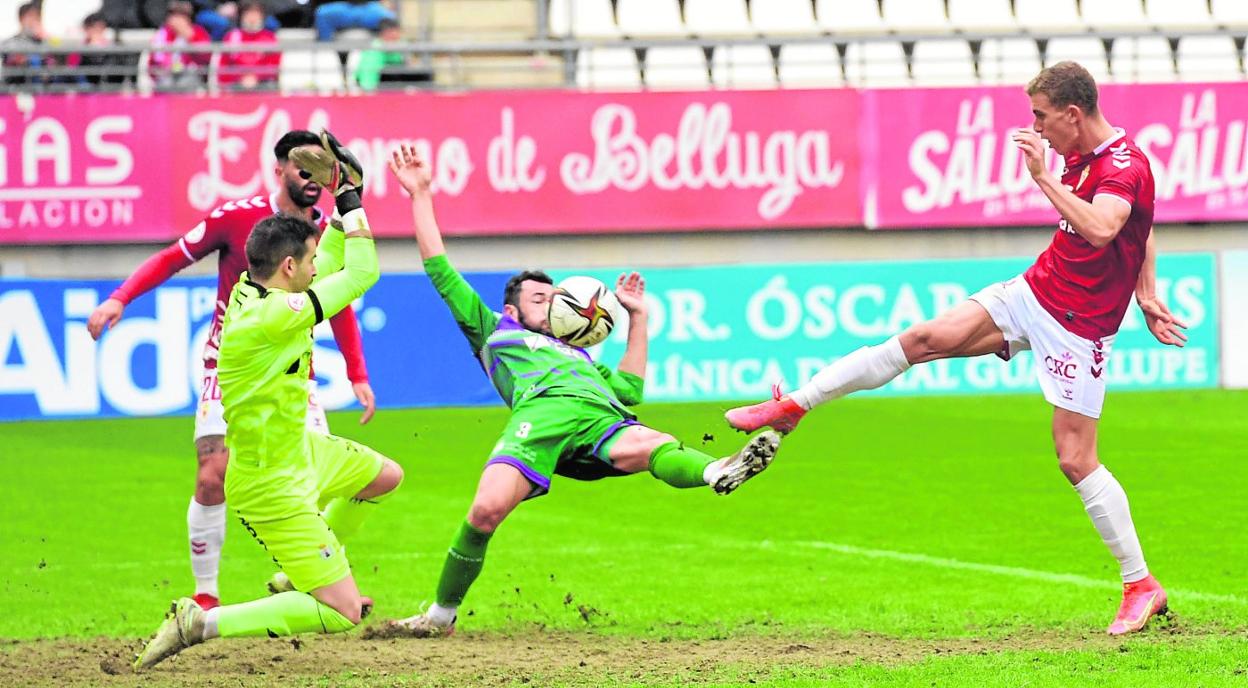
x,y
945,158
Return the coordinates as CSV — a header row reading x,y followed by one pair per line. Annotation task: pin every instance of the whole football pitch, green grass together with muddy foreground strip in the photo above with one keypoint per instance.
x,y
898,543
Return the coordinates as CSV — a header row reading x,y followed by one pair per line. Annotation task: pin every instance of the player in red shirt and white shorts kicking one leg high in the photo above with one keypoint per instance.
x,y
1068,309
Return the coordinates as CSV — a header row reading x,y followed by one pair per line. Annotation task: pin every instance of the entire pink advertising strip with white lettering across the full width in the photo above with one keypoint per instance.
x,y
117,169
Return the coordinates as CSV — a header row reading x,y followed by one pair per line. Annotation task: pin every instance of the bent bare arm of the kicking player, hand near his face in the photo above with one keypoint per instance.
x,y
1099,223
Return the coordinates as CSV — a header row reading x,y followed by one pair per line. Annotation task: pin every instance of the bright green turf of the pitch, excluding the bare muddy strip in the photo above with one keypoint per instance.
x,y
879,515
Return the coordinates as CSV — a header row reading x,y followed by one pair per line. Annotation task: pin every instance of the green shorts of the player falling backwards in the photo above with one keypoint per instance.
x,y
561,435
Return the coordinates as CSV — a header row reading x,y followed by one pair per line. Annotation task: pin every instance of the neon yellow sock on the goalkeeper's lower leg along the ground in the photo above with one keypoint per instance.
x,y
281,615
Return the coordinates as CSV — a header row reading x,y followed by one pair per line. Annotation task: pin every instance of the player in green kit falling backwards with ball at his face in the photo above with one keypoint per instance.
x,y
570,415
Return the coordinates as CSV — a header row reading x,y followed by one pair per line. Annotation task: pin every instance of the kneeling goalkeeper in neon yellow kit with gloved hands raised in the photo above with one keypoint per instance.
x,y
301,495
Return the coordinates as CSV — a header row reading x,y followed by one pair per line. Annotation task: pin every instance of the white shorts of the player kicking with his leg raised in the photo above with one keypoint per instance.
x,y
1071,370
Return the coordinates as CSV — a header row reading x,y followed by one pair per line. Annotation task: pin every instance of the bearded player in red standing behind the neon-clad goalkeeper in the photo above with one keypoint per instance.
x,y
225,232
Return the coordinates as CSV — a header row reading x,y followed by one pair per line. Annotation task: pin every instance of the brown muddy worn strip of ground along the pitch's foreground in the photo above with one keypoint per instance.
x,y
537,659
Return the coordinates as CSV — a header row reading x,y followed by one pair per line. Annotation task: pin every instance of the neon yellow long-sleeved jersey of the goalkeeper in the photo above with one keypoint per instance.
x,y
266,351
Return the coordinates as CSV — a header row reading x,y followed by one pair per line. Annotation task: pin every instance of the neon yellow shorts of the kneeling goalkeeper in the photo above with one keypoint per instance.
x,y
283,510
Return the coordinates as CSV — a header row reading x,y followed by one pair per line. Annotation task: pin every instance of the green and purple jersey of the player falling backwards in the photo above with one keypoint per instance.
x,y
524,364
